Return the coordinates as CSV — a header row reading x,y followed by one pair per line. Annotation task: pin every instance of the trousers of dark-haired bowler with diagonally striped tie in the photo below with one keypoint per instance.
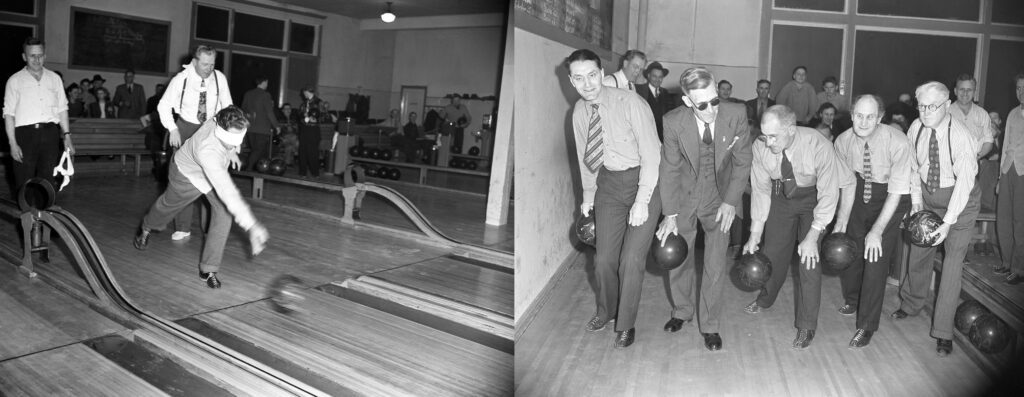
x,y
622,250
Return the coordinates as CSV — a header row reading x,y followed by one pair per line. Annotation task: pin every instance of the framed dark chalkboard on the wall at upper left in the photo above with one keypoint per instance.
x,y
109,41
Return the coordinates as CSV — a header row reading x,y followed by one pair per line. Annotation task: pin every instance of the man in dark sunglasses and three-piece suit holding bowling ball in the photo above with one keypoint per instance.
x,y
705,165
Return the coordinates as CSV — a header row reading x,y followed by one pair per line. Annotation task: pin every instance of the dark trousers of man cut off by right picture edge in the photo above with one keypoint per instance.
x,y
1010,220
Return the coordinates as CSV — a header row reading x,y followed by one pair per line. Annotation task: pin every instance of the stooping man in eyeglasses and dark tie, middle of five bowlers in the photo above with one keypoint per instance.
x,y
795,181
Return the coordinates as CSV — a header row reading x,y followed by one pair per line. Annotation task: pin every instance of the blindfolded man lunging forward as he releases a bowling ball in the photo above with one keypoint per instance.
x,y
200,168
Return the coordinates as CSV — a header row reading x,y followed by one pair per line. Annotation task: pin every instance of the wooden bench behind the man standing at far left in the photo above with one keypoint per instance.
x,y
110,138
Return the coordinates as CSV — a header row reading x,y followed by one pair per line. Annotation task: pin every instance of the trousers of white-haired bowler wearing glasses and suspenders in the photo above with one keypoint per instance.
x,y
915,284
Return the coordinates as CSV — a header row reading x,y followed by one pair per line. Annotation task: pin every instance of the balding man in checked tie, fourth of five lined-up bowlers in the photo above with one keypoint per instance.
x,y
870,213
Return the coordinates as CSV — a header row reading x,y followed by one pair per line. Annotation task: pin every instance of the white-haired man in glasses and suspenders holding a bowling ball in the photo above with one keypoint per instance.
x,y
946,164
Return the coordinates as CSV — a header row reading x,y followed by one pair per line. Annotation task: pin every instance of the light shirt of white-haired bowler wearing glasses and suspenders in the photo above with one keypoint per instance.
x,y
958,172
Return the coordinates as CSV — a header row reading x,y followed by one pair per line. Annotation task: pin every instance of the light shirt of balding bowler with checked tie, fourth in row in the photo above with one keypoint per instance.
x,y
891,156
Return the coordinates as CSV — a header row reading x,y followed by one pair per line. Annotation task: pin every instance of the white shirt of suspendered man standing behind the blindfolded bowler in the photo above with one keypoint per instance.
x,y
189,104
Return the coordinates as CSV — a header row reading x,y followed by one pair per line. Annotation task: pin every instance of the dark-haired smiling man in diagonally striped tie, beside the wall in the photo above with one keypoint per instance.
x,y
619,155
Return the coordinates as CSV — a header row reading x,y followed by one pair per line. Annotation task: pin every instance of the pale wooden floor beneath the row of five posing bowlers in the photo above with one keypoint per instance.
x,y
556,356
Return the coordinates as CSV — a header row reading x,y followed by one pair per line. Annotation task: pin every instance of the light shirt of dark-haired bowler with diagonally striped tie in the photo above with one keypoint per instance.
x,y
629,140
